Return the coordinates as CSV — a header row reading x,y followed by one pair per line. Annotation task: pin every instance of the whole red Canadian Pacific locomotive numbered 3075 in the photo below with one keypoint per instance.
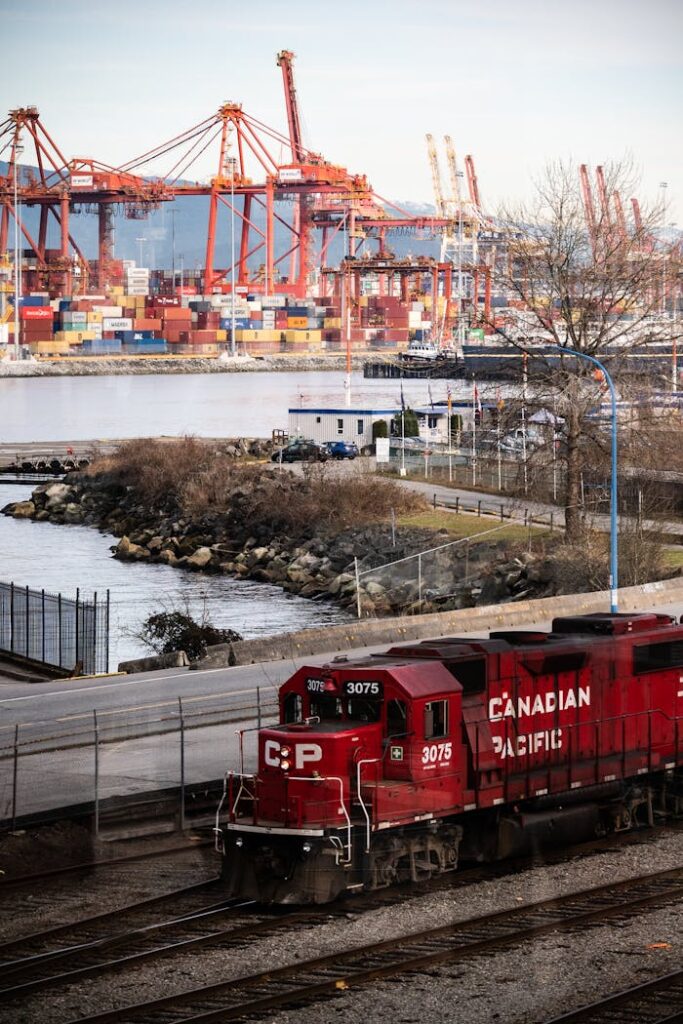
x,y
396,767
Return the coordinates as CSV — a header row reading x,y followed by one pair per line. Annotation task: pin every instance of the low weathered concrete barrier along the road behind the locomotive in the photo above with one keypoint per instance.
x,y
369,632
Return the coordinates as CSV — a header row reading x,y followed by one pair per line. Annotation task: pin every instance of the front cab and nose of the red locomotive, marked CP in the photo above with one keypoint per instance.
x,y
350,786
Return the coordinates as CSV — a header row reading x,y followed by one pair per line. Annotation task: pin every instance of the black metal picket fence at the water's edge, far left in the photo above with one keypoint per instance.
x,y
65,632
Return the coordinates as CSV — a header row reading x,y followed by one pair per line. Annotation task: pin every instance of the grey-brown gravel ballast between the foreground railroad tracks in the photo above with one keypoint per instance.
x,y
519,986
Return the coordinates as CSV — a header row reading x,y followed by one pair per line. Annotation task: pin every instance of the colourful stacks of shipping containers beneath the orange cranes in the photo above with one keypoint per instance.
x,y
131,321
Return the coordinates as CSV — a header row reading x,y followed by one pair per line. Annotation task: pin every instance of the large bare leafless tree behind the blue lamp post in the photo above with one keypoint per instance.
x,y
580,279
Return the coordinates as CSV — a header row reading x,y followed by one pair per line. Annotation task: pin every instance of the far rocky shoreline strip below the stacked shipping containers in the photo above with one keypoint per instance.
x,y
140,366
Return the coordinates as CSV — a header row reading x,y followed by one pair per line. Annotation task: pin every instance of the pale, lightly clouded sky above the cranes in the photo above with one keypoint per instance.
x,y
516,83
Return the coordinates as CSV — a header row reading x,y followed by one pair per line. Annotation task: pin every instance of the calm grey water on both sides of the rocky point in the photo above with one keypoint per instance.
x,y
64,559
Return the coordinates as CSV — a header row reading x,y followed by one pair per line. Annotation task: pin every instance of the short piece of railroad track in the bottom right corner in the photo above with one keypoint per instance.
x,y
658,1002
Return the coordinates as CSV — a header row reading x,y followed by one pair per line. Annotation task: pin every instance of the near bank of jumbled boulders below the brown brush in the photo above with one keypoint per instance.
x,y
322,567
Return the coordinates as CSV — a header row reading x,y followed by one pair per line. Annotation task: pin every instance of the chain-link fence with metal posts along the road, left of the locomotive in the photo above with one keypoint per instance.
x,y
97,760
